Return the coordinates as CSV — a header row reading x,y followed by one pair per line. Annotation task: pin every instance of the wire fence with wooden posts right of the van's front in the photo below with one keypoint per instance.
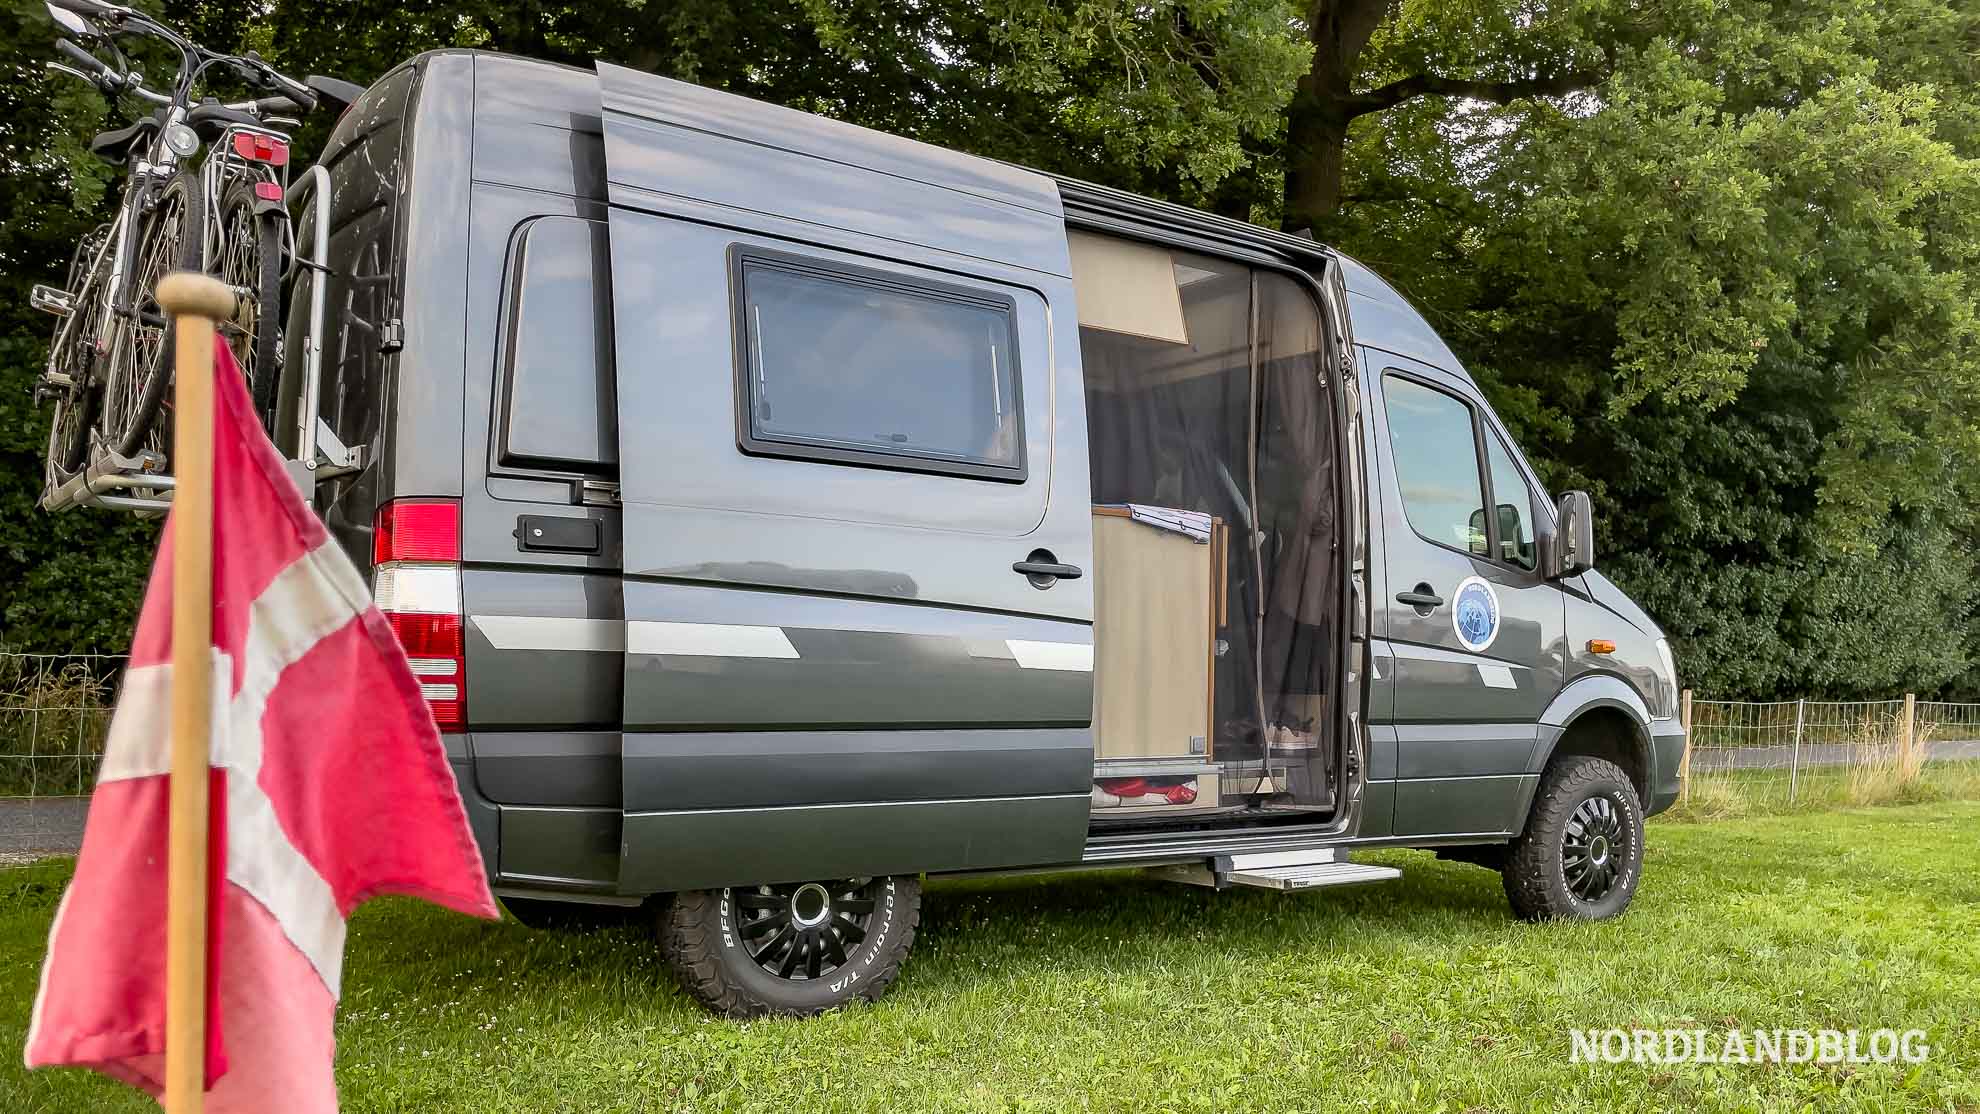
x,y
1789,753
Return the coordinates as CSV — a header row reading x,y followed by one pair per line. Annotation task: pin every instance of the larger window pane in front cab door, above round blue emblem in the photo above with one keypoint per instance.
x,y
1436,466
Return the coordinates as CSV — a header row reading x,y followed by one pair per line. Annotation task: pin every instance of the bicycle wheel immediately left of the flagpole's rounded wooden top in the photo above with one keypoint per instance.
x,y
142,359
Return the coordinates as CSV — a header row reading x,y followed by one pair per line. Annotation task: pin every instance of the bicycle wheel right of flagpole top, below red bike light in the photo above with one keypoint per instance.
x,y
250,262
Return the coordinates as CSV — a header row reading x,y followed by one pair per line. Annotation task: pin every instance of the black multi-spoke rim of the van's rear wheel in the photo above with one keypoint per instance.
x,y
805,931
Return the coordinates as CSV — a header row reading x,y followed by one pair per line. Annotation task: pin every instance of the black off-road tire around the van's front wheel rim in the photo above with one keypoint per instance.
x,y
1537,864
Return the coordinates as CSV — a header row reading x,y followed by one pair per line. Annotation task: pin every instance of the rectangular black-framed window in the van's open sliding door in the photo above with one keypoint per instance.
x,y
860,367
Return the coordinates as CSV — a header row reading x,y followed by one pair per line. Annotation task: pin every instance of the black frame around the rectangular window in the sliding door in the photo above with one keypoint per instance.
x,y
742,258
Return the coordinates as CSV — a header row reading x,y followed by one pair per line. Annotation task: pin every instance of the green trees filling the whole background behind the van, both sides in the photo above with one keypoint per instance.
x,y
1716,260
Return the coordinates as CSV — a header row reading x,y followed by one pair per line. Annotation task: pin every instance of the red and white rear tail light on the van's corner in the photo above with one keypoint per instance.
x,y
417,581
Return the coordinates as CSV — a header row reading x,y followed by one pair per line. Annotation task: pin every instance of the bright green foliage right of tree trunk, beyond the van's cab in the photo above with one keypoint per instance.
x,y
1732,292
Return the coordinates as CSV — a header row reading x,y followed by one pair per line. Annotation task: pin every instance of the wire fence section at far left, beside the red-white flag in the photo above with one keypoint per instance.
x,y
54,713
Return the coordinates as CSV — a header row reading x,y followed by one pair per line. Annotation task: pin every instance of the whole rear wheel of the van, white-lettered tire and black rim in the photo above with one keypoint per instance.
x,y
793,949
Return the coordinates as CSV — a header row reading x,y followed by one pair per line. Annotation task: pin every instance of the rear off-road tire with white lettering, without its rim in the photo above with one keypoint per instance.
x,y
702,943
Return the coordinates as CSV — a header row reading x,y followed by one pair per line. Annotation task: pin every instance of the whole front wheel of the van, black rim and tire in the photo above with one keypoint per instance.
x,y
1583,850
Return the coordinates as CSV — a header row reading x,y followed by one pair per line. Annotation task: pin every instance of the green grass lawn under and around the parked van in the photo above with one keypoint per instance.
x,y
1116,992
